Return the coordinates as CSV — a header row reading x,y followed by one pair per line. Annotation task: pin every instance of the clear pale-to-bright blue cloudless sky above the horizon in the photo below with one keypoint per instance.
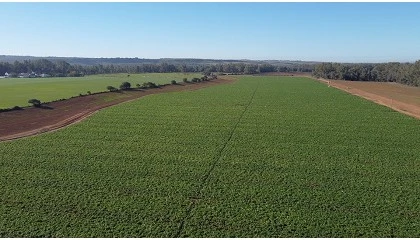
x,y
332,32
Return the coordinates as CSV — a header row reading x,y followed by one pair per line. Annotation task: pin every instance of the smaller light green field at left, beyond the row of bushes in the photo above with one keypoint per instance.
x,y
17,91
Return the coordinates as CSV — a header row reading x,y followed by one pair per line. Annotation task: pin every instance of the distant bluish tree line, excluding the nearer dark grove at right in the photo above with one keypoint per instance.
x,y
62,68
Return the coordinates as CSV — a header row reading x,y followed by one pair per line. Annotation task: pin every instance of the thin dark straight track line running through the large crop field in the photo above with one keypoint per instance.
x,y
216,160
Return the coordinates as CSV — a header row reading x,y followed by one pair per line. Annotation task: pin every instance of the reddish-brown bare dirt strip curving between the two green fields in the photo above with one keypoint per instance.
x,y
56,115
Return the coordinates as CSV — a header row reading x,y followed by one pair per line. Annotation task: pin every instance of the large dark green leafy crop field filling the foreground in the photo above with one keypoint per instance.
x,y
263,157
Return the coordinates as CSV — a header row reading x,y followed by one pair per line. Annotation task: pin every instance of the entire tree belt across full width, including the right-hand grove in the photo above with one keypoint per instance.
x,y
405,73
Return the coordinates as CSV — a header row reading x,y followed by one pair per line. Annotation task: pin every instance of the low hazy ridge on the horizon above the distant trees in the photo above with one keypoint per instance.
x,y
139,61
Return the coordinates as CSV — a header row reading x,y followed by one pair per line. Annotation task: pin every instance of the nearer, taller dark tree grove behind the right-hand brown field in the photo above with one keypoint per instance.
x,y
405,73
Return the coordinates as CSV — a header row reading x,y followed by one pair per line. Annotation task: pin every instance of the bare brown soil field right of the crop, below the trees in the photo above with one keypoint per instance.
x,y
402,98
